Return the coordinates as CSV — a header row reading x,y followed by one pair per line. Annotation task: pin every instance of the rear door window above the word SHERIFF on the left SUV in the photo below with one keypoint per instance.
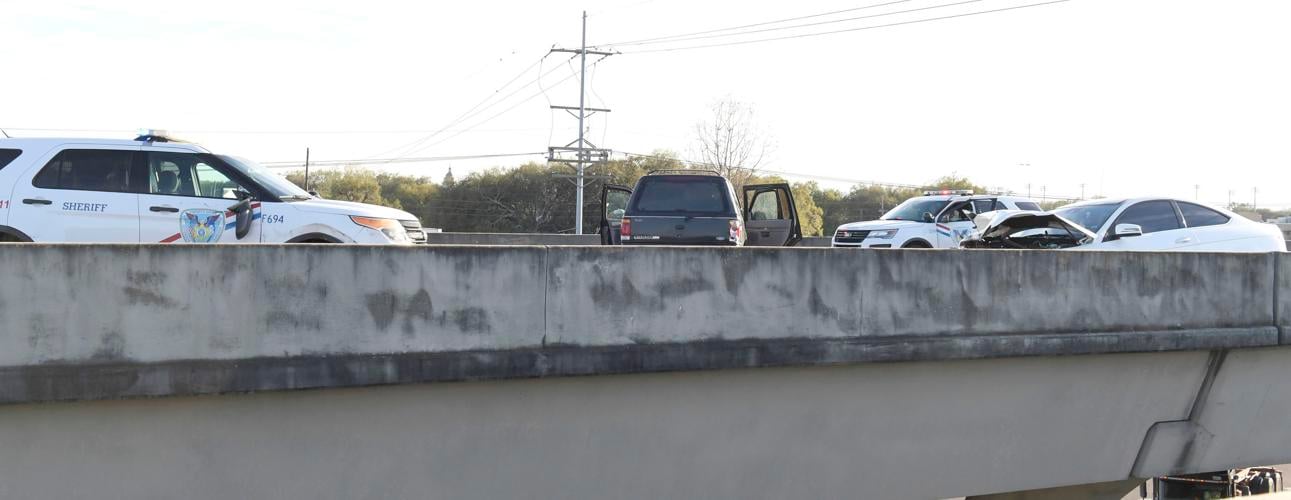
x,y
88,171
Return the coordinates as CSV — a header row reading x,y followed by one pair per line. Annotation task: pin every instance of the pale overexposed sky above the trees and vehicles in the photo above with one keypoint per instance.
x,y
1181,99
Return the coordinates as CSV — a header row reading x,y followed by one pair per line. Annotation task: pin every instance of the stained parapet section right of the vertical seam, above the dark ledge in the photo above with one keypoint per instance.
x,y
628,295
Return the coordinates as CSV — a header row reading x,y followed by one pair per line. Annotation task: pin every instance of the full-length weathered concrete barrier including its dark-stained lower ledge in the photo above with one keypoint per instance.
x,y
113,321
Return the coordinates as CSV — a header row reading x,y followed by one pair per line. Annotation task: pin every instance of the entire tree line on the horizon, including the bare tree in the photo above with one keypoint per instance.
x,y
533,198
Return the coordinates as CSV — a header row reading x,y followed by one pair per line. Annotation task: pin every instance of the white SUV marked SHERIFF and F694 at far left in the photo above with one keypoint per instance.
x,y
159,191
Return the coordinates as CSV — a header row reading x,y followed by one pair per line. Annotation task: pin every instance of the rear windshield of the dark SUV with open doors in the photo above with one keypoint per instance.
x,y
682,196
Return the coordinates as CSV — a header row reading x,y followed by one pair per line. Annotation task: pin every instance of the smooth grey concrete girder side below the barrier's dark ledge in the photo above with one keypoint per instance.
x,y
904,431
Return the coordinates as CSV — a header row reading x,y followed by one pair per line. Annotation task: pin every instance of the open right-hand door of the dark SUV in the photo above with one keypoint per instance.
x,y
770,216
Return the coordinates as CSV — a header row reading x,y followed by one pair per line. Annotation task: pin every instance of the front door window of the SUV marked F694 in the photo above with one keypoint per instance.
x,y
188,175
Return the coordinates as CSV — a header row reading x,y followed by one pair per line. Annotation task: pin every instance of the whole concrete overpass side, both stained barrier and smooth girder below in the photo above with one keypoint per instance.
x,y
631,373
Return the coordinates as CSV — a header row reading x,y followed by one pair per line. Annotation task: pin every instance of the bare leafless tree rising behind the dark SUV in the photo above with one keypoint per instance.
x,y
731,143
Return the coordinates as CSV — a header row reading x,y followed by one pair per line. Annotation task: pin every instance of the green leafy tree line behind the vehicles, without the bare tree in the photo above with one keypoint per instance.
x,y
531,198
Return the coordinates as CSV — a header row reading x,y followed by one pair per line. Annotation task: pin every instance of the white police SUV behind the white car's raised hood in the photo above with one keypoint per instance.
x,y
937,220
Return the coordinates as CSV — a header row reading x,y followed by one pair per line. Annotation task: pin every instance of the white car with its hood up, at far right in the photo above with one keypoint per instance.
x,y
1139,224
